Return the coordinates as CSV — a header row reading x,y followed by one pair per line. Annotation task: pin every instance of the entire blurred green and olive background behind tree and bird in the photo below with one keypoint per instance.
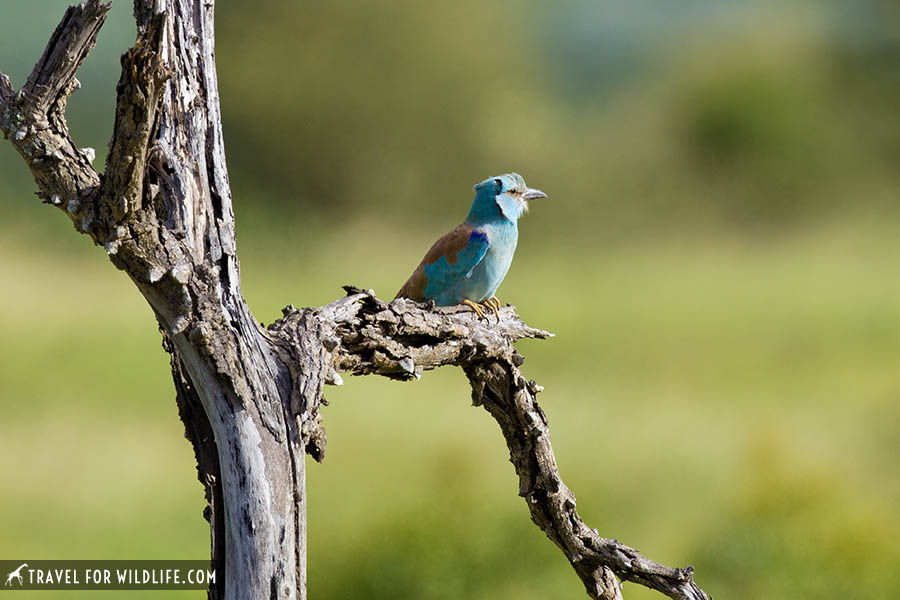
x,y
718,259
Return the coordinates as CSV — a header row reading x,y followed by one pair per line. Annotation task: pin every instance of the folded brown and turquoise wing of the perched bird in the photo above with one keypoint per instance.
x,y
450,259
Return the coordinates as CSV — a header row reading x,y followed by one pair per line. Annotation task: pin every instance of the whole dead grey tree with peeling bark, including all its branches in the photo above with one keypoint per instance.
x,y
249,396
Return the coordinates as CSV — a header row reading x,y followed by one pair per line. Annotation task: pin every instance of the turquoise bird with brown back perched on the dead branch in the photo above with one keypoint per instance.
x,y
467,265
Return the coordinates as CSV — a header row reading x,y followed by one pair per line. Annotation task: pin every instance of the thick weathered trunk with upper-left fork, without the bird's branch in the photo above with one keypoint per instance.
x,y
163,212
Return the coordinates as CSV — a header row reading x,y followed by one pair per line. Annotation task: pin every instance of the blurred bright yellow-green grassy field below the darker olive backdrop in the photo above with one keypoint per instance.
x,y
729,402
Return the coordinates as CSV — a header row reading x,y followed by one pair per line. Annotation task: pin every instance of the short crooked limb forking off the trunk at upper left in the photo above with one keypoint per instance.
x,y
34,117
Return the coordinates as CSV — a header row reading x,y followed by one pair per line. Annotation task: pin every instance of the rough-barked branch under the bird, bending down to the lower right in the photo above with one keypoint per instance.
x,y
364,335
